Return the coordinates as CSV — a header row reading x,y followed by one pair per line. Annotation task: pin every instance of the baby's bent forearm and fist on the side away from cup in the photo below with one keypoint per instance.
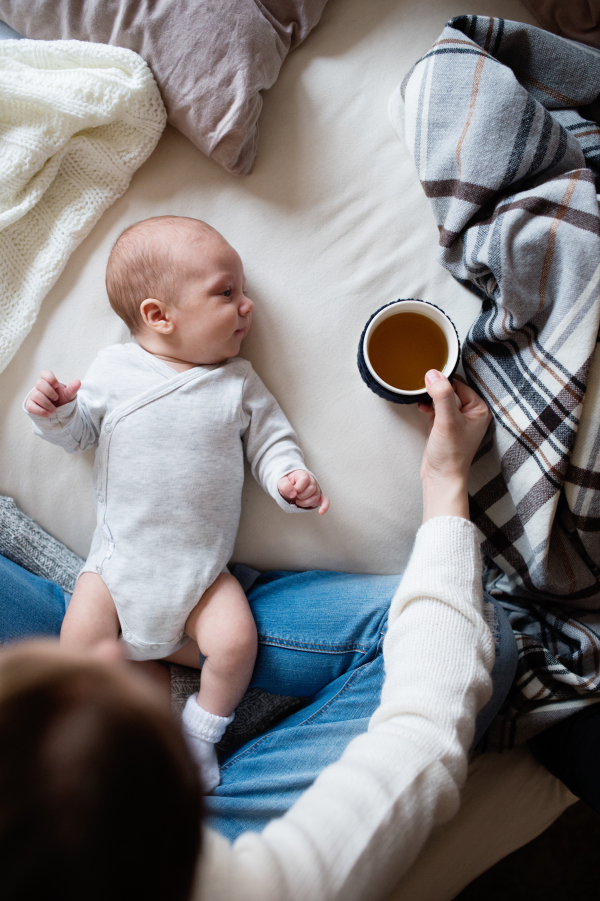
x,y
64,415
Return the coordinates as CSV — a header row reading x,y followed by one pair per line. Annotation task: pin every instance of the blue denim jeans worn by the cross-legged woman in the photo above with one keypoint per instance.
x,y
320,638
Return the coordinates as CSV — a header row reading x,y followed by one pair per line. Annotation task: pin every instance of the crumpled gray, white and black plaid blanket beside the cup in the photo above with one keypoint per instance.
x,y
501,119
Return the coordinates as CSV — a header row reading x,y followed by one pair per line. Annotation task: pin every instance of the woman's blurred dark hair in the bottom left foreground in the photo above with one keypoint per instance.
x,y
99,798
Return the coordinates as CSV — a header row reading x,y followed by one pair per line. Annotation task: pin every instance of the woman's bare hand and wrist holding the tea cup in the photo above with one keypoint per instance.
x,y
458,420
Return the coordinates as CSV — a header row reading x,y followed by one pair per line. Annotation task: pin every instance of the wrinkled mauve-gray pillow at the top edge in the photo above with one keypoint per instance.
x,y
211,58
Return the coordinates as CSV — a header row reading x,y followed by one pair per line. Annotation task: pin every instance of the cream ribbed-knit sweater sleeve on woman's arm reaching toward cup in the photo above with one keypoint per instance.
x,y
361,825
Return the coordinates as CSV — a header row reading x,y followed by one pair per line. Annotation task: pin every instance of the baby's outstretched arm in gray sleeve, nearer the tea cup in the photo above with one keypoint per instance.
x,y
272,450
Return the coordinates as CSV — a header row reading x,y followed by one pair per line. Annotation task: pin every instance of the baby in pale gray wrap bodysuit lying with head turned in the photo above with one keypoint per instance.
x,y
171,415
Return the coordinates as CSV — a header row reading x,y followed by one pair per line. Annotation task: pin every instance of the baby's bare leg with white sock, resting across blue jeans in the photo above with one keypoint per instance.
x,y
223,627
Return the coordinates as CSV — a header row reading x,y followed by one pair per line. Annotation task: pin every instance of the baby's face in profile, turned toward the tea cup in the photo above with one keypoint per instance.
x,y
213,315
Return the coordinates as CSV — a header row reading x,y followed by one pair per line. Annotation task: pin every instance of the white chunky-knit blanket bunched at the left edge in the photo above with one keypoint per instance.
x,y
76,121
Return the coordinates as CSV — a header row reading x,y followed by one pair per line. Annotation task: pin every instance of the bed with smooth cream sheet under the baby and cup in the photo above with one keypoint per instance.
x,y
331,224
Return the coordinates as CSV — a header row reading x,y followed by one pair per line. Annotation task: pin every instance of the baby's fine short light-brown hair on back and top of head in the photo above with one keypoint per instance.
x,y
142,265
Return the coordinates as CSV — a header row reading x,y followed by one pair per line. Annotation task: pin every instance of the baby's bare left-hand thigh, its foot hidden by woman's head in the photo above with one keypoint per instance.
x,y
91,616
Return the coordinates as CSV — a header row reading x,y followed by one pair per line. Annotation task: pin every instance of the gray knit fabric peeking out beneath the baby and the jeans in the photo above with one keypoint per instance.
x,y
28,545
